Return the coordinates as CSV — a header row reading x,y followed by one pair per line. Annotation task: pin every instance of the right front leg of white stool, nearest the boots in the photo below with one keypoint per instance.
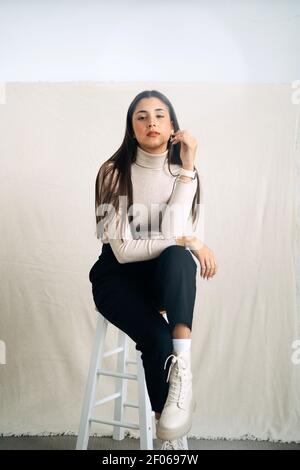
x,y
145,409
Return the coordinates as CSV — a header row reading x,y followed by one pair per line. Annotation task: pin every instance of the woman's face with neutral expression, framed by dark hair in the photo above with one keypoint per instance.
x,y
151,114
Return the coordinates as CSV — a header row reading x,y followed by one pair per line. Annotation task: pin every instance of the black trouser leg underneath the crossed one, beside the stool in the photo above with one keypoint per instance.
x,y
128,308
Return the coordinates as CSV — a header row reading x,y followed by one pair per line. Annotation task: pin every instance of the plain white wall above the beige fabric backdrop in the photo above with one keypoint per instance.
x,y
205,41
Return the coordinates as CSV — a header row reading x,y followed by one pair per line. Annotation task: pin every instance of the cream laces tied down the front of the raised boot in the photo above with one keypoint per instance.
x,y
176,377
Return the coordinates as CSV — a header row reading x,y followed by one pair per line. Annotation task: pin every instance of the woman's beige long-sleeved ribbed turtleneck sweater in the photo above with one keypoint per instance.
x,y
155,190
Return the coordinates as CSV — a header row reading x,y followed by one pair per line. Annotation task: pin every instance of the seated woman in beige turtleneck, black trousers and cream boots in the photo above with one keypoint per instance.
x,y
148,195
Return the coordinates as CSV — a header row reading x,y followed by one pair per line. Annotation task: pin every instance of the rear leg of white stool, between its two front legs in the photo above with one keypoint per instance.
x,y
121,386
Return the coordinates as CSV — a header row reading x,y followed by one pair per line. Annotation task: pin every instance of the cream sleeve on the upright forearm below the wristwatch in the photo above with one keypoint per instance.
x,y
176,220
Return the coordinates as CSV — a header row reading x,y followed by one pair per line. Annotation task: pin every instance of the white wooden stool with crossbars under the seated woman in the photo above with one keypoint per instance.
x,y
145,424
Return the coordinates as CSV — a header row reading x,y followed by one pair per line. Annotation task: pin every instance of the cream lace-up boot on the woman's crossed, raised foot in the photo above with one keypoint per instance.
x,y
176,416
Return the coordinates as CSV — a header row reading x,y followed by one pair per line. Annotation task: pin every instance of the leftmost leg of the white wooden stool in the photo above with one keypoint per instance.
x,y
89,396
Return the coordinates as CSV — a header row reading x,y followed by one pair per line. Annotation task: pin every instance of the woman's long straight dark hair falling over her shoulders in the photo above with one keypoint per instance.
x,y
116,171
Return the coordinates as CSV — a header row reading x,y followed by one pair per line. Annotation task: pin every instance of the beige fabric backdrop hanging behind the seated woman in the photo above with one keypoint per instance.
x,y
54,136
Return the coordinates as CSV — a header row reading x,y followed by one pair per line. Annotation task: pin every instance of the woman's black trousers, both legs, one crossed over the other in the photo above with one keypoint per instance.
x,y
130,296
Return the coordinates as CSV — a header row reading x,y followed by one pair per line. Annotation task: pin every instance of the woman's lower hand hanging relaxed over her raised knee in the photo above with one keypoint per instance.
x,y
204,254
